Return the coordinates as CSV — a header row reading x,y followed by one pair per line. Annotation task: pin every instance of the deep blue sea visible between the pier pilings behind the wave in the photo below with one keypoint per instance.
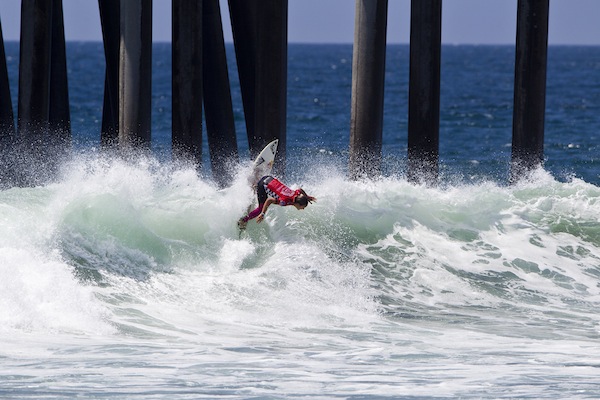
x,y
476,105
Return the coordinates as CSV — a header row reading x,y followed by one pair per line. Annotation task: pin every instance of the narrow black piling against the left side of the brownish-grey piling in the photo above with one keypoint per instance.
x,y
111,27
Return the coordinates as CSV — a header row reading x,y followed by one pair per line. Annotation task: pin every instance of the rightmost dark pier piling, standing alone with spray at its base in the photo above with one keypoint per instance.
x,y
530,87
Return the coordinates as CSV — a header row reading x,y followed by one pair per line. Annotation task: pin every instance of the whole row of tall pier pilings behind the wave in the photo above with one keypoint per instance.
x,y
201,82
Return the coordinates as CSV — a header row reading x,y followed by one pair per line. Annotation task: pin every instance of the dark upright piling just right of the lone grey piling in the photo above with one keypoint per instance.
x,y
424,91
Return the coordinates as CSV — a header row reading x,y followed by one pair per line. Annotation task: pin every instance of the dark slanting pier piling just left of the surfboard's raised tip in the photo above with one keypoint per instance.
x,y
218,107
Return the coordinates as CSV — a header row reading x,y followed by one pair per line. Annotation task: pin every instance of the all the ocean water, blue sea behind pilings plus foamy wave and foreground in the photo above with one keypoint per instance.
x,y
129,280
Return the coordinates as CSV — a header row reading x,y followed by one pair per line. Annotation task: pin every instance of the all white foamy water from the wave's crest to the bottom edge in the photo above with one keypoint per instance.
x,y
130,279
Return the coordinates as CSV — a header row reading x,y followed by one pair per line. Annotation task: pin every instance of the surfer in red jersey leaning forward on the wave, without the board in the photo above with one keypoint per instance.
x,y
270,190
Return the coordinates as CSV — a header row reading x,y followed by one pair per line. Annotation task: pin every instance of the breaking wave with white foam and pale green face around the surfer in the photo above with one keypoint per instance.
x,y
117,246
